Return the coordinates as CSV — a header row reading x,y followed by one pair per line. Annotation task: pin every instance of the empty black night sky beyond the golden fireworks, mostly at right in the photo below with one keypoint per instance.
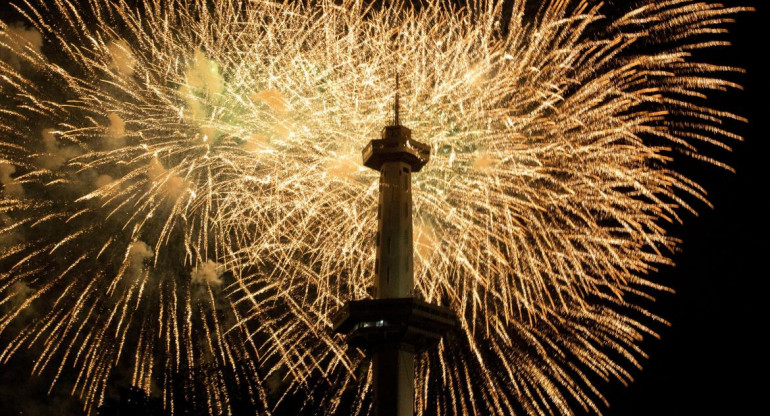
x,y
707,358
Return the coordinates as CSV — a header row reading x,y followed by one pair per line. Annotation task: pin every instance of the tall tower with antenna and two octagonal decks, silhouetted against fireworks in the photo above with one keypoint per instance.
x,y
394,326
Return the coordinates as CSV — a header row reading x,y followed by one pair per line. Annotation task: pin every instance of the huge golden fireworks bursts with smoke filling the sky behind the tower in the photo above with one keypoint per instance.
x,y
183,199
